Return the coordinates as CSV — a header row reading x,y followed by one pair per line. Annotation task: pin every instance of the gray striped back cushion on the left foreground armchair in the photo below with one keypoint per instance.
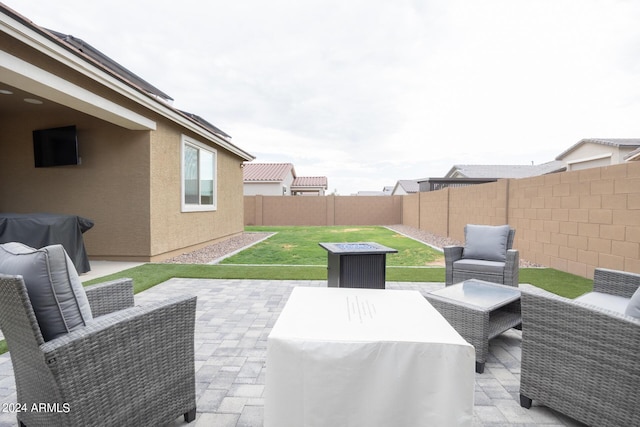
x,y
56,293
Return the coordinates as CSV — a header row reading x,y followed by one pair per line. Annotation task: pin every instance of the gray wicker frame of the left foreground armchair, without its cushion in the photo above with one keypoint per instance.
x,y
128,366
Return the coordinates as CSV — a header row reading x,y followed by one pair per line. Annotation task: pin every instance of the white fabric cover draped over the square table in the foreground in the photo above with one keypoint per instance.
x,y
366,357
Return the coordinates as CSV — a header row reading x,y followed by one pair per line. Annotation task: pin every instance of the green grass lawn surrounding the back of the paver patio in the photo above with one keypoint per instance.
x,y
293,254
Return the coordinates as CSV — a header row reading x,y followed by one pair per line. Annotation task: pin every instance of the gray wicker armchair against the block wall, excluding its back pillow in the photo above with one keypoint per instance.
x,y
459,267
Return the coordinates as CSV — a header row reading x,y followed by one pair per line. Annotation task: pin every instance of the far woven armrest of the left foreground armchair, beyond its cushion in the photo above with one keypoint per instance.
x,y
110,296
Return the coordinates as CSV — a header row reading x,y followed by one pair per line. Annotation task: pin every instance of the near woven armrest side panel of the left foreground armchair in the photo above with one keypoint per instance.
x,y
141,357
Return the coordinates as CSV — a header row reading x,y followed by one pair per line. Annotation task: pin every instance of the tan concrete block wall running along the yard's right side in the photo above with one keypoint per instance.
x,y
571,221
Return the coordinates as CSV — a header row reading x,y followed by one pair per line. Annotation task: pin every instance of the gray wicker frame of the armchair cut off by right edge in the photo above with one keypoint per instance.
x,y
579,359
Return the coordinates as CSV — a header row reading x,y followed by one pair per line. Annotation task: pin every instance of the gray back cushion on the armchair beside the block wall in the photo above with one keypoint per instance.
x,y
486,242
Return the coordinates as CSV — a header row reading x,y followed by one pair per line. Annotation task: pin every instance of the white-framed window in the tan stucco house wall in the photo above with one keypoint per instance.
x,y
198,176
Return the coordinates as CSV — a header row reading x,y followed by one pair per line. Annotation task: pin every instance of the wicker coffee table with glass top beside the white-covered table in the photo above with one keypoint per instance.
x,y
479,311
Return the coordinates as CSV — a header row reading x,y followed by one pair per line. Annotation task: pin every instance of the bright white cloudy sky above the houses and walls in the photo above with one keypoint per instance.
x,y
367,92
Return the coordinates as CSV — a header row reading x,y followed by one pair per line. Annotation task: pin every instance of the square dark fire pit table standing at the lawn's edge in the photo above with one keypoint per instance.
x,y
356,265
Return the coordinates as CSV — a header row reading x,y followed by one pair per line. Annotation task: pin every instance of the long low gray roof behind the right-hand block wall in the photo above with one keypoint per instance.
x,y
505,171
